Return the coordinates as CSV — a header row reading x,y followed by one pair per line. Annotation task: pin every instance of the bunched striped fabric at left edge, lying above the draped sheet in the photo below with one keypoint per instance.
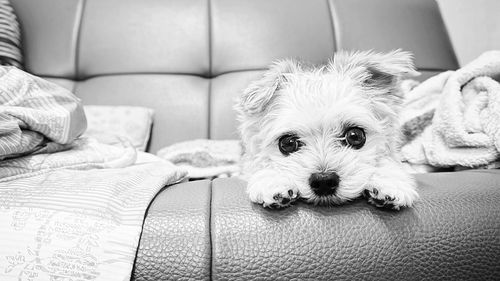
x,y
36,115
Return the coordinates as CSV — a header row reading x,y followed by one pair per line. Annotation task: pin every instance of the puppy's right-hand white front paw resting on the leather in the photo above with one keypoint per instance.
x,y
393,194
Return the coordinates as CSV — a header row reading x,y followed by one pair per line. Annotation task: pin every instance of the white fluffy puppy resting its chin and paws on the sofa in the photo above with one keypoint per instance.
x,y
326,134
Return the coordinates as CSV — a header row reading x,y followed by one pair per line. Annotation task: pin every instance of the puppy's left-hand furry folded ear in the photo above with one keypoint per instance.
x,y
260,93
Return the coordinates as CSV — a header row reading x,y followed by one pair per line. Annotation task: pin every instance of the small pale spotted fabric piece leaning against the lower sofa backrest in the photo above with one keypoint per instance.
x,y
110,124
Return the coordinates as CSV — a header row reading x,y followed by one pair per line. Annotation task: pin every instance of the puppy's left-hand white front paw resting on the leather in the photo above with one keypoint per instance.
x,y
272,191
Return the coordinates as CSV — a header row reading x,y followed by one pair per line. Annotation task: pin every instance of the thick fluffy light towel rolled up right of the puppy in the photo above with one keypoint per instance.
x,y
453,118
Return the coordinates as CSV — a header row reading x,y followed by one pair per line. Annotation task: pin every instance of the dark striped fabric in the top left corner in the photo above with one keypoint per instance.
x,y
10,36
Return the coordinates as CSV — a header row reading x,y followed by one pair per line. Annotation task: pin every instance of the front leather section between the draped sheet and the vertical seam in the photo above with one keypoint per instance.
x,y
175,241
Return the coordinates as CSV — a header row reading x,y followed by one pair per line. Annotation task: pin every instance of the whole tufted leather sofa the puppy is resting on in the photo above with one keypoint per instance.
x,y
188,60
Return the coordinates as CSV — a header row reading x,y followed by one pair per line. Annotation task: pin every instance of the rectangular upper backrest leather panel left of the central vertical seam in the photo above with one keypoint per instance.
x,y
130,36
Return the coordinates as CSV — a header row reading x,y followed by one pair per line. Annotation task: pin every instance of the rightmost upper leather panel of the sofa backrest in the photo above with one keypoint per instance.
x,y
383,25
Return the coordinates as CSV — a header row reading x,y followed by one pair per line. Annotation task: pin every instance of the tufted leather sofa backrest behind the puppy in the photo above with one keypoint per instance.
x,y
188,60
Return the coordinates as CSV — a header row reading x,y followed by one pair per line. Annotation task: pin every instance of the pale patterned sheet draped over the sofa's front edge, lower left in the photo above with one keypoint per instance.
x,y
63,219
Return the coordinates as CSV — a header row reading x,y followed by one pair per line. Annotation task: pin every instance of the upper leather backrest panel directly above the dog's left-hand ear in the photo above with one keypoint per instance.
x,y
251,34
